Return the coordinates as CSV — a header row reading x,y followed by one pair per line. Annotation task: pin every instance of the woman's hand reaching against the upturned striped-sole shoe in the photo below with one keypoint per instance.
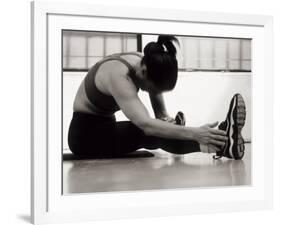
x,y
207,135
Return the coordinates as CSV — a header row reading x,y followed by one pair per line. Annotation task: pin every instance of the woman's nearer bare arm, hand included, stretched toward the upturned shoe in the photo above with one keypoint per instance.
x,y
124,93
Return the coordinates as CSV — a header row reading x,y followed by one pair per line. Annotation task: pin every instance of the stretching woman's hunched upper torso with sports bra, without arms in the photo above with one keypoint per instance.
x,y
93,95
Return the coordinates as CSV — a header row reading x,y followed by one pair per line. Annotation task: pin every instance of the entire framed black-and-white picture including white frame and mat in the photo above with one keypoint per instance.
x,y
148,112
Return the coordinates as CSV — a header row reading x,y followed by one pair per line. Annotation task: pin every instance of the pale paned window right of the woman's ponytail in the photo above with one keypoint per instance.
x,y
214,54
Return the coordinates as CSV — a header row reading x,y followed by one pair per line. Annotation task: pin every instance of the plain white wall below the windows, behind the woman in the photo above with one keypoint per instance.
x,y
203,97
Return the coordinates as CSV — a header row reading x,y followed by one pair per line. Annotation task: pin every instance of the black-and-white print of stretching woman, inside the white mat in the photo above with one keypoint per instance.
x,y
144,112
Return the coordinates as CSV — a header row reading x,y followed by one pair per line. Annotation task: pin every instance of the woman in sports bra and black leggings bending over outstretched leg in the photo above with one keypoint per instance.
x,y
112,84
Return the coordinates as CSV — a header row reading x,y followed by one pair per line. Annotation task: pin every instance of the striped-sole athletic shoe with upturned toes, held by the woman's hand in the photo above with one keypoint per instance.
x,y
235,120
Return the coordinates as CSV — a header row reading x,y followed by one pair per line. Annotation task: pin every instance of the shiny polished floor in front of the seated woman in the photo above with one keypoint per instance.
x,y
163,171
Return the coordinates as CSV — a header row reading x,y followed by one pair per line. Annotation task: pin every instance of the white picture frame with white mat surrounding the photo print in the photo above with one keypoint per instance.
x,y
48,205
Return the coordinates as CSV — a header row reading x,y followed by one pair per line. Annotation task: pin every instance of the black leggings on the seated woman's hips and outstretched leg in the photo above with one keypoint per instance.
x,y
93,136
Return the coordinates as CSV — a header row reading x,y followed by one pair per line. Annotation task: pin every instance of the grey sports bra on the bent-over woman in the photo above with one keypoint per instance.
x,y
105,105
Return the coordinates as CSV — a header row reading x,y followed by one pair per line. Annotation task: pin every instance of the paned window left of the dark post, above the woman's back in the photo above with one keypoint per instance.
x,y
82,49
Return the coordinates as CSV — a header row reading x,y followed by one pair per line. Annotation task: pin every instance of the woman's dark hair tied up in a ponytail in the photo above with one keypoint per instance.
x,y
161,63
